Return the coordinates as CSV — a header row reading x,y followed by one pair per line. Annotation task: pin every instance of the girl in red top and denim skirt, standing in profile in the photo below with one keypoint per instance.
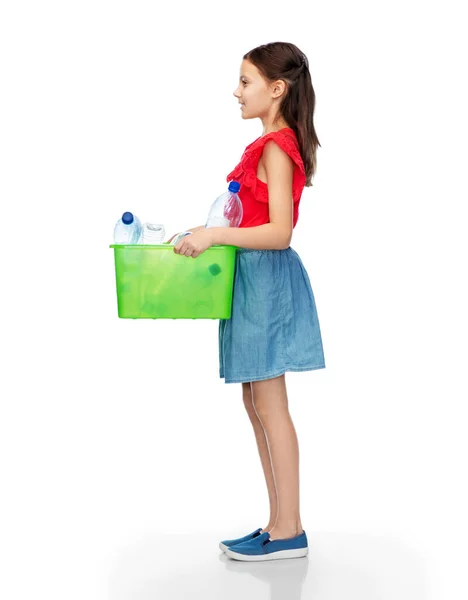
x,y
274,327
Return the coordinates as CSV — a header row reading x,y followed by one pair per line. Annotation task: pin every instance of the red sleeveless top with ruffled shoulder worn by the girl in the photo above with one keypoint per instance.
x,y
253,192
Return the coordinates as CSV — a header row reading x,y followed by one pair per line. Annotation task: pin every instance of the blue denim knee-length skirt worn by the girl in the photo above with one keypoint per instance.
x,y
274,325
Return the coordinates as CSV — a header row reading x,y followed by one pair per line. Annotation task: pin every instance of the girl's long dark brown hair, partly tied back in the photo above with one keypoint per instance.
x,y
282,60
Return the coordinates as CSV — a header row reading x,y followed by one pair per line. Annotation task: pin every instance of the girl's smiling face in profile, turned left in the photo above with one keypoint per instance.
x,y
253,92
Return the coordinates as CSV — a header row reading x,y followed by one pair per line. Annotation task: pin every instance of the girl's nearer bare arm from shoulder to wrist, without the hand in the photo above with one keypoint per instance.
x,y
277,234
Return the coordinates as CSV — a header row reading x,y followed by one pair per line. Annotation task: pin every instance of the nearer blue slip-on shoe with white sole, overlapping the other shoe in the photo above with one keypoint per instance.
x,y
262,548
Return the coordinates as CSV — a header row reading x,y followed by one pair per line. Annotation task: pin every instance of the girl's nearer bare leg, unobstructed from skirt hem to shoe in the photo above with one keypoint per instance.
x,y
270,401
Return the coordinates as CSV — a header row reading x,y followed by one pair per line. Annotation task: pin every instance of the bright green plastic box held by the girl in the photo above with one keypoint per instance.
x,y
153,282
